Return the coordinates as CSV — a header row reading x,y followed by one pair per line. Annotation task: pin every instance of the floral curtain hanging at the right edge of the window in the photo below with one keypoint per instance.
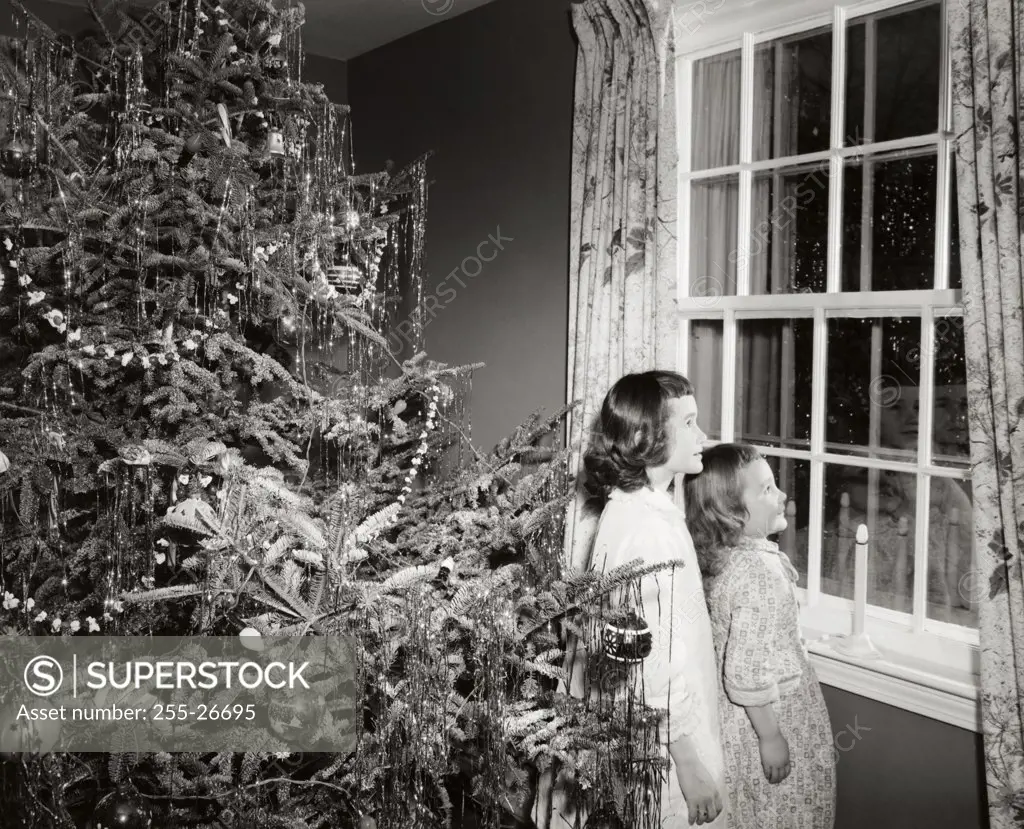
x,y
988,38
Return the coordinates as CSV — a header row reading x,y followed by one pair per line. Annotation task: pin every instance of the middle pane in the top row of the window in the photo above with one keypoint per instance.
x,y
793,96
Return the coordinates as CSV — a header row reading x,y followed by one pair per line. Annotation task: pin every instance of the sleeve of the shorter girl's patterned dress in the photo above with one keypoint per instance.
x,y
749,665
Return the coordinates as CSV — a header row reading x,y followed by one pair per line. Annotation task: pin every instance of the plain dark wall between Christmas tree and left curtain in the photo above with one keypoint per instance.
x,y
491,94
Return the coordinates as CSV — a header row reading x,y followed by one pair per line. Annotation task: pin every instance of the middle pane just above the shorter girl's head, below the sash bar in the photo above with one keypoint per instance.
x,y
775,365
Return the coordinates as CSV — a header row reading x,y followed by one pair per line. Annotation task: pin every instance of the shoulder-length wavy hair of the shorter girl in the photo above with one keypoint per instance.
x,y
715,511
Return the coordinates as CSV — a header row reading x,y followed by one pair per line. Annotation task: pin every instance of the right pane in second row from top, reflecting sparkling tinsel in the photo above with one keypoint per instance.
x,y
889,224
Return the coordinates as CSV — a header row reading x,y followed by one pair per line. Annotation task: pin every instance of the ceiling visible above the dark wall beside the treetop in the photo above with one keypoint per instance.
x,y
345,29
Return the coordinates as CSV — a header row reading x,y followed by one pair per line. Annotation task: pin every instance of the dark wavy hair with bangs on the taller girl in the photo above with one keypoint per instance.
x,y
630,434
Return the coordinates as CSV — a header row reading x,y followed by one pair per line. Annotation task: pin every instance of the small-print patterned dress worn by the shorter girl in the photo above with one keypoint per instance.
x,y
756,625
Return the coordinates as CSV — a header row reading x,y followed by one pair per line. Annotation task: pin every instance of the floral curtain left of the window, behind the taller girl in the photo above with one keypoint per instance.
x,y
623,247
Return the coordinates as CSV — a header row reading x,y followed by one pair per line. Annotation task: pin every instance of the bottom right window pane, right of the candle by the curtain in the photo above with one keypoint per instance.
x,y
956,586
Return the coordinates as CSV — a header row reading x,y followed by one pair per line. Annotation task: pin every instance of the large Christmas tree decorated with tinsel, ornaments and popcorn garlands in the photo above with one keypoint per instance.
x,y
203,432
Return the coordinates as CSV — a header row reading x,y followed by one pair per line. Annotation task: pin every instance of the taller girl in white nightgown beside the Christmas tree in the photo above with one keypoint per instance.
x,y
648,434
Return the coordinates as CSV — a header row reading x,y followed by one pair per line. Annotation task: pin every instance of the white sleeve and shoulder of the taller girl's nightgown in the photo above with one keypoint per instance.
x,y
666,676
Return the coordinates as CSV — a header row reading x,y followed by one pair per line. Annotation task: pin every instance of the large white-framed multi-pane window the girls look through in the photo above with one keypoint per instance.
x,y
822,317
